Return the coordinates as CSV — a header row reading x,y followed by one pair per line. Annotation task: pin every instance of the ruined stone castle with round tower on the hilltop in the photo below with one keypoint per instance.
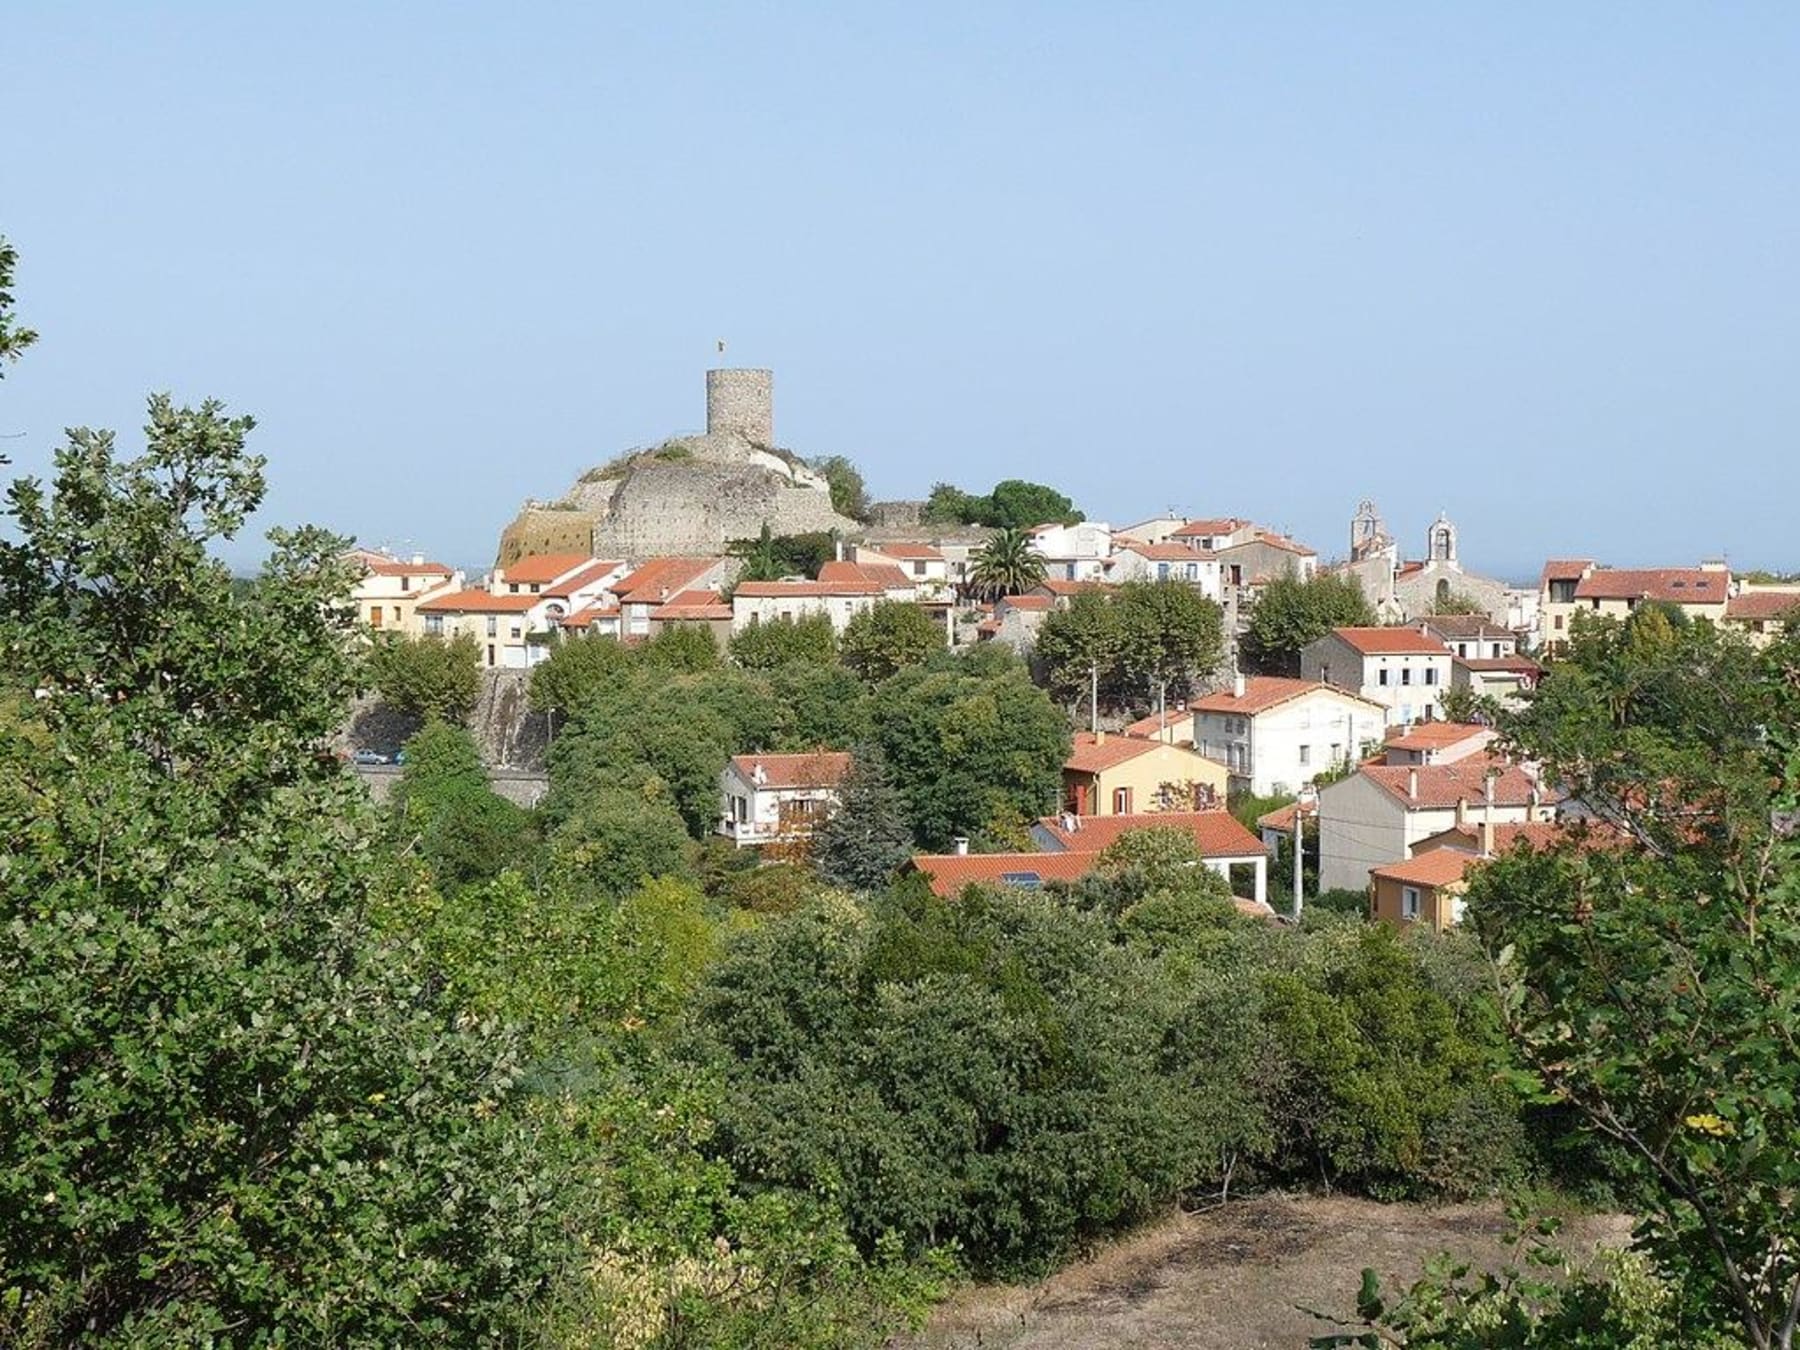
x,y
690,494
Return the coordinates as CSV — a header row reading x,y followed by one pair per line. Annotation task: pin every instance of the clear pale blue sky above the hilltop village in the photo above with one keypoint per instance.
x,y
1533,264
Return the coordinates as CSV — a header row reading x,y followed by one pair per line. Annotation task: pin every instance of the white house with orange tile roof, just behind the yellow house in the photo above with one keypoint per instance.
x,y
1277,735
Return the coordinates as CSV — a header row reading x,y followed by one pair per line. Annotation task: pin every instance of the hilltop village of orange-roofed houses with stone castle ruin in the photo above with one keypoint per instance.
x,y
1372,737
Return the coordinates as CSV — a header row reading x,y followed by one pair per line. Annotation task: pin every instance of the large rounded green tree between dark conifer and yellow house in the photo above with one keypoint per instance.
x,y
971,742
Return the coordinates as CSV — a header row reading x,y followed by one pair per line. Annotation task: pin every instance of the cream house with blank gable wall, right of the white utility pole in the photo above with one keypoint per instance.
x,y
1380,813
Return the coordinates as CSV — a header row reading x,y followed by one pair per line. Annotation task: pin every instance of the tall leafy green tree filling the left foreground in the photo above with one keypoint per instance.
x,y
233,1113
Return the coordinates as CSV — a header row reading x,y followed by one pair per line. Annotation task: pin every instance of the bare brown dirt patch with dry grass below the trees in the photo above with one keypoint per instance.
x,y
1232,1279
